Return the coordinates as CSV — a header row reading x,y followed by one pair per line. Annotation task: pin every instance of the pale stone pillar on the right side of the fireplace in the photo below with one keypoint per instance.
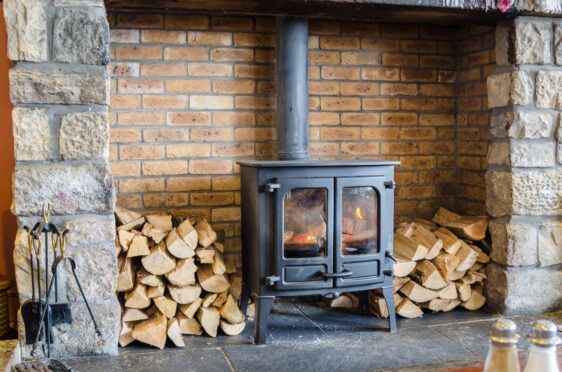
x,y
524,178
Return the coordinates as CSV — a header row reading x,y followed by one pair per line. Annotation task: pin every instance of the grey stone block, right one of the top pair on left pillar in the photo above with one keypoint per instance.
x,y
81,36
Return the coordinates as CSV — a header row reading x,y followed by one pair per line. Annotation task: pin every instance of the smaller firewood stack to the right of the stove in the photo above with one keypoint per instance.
x,y
439,266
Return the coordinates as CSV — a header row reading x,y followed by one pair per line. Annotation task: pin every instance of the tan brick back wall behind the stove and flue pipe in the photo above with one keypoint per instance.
x,y
192,94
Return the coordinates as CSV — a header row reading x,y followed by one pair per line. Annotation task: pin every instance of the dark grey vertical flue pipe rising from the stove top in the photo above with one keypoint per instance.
x,y
291,79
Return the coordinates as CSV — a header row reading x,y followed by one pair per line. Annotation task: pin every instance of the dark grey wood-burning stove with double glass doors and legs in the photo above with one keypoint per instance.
x,y
315,228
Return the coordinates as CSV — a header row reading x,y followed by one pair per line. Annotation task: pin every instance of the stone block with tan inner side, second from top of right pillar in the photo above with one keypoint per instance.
x,y
510,88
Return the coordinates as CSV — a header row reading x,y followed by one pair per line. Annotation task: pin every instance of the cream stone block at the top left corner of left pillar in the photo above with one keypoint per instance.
x,y
26,25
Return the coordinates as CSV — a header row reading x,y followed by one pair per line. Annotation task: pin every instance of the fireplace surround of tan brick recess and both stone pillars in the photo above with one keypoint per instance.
x,y
154,109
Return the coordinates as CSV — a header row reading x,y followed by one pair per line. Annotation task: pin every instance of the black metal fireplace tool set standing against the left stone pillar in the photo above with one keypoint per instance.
x,y
38,313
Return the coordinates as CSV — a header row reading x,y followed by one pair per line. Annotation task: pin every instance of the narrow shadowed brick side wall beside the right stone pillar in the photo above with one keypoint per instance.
x,y
476,61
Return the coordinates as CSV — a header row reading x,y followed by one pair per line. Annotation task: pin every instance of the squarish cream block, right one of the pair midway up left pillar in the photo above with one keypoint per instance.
x,y
84,135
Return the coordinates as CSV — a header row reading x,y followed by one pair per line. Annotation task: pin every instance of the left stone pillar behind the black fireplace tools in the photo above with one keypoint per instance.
x,y
60,90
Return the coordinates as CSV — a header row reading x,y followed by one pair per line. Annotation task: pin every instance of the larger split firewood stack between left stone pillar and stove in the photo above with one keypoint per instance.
x,y
173,280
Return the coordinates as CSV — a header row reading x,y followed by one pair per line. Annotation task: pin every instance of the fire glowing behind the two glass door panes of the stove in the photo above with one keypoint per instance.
x,y
305,218
